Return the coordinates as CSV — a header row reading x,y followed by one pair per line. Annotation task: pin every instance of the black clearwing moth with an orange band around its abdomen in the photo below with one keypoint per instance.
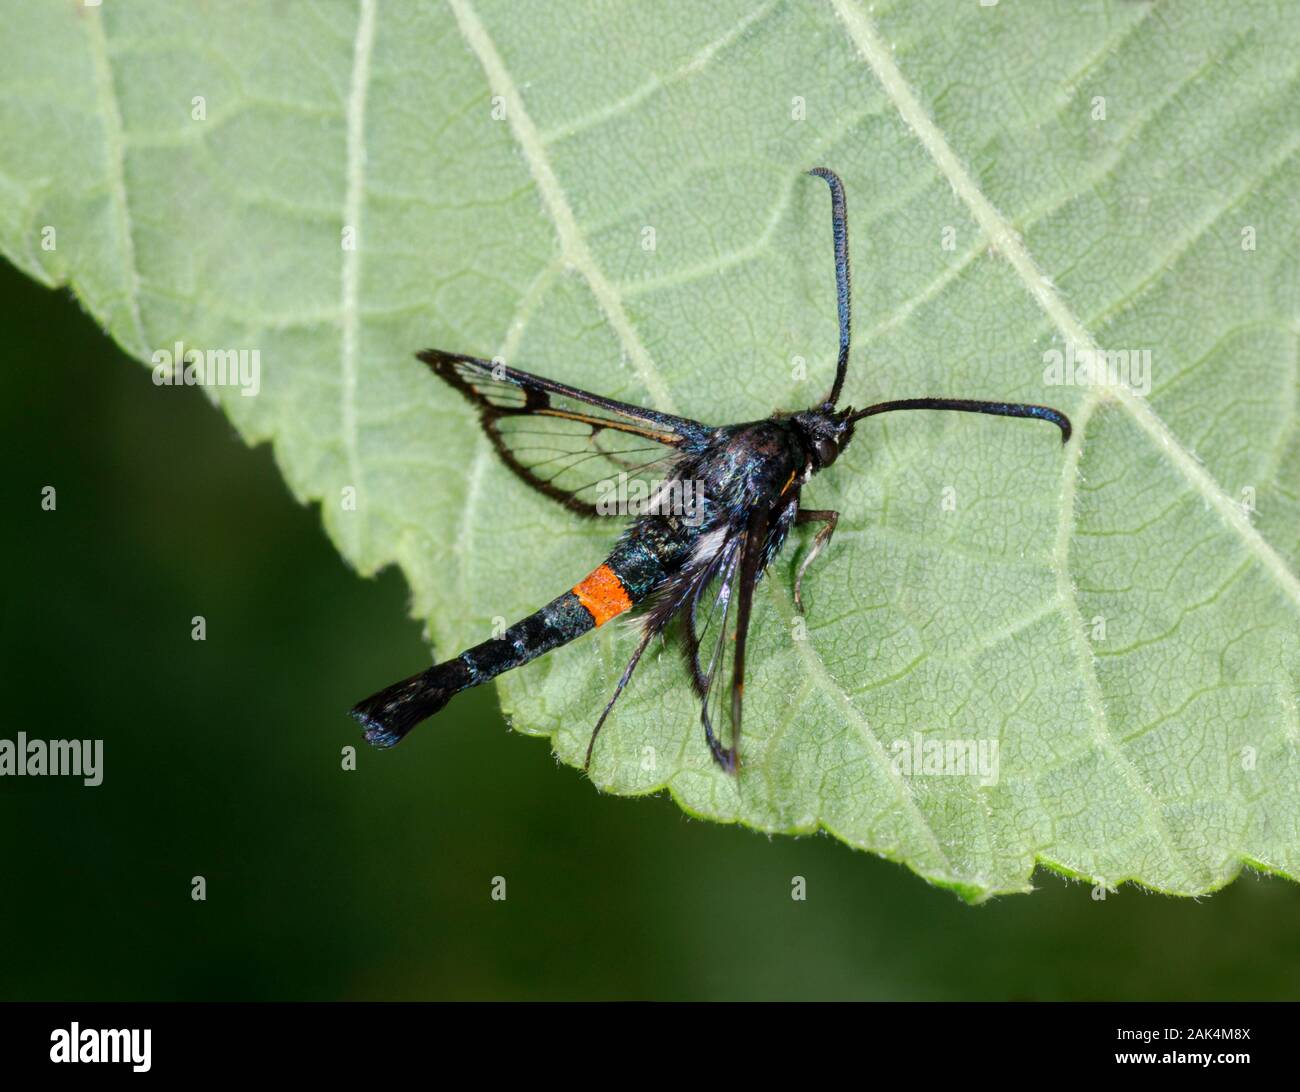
x,y
746,480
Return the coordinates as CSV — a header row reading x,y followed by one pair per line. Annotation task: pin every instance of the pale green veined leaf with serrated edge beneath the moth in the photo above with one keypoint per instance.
x,y
1119,617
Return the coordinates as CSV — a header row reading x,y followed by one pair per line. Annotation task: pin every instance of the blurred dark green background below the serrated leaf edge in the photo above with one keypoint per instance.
x,y
223,760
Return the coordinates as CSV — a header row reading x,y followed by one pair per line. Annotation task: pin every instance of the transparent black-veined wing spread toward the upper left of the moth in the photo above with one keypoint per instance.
x,y
595,456
